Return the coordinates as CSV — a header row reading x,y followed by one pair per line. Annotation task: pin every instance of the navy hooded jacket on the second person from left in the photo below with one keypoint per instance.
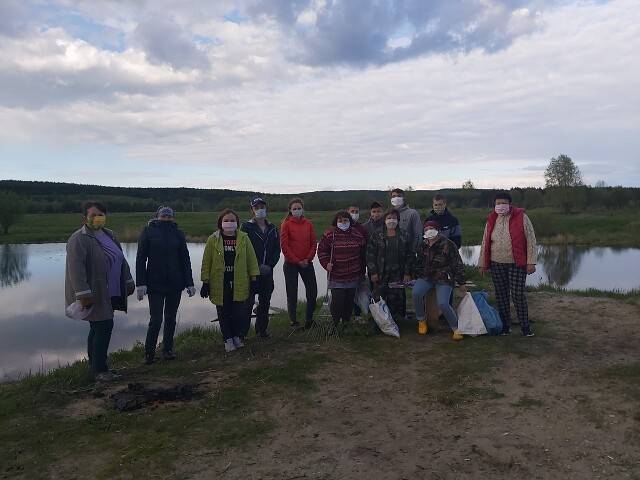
x,y
162,262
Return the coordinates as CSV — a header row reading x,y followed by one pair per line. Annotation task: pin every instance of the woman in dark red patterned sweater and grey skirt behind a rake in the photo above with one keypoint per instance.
x,y
342,254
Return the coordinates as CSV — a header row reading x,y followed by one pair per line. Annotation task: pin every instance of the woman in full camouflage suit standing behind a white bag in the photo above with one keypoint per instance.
x,y
389,257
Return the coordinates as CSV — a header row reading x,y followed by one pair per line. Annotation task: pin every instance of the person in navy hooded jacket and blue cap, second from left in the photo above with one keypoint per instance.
x,y
163,270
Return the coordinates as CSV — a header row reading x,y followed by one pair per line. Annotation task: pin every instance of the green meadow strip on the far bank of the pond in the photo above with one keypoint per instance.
x,y
595,228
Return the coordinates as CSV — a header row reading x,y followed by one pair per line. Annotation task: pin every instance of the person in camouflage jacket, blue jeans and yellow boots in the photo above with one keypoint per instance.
x,y
438,265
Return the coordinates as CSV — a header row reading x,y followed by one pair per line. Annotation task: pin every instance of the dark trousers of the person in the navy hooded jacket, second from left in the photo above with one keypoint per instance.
x,y
162,305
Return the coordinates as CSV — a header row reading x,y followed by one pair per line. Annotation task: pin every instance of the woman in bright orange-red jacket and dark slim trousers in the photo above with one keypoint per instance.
x,y
298,244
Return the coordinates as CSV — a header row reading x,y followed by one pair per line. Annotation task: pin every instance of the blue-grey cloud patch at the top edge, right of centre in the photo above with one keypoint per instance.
x,y
365,32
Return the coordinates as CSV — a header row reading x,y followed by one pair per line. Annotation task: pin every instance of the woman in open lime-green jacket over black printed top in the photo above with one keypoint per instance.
x,y
229,271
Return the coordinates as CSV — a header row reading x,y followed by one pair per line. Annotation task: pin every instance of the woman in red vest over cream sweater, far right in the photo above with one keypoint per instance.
x,y
509,252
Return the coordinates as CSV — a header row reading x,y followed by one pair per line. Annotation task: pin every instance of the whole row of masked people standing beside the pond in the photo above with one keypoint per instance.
x,y
389,252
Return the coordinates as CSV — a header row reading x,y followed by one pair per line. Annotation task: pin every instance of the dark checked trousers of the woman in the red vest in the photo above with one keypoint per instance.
x,y
509,280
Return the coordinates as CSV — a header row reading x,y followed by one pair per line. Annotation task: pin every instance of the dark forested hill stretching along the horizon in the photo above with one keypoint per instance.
x,y
50,197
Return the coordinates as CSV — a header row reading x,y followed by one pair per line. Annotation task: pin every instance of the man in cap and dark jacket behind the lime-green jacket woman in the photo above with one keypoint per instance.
x,y
266,243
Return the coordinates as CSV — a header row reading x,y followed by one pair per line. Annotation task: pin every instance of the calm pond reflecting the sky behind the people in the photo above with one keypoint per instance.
x,y
35,335
